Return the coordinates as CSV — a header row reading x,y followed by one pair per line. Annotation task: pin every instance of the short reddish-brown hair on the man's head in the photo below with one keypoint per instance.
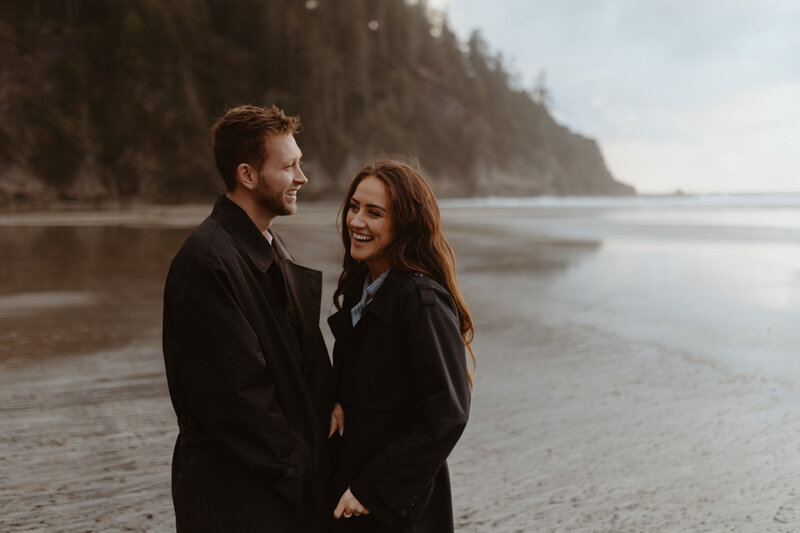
x,y
239,137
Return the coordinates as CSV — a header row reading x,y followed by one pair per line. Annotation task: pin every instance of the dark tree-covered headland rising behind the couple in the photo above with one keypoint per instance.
x,y
112,101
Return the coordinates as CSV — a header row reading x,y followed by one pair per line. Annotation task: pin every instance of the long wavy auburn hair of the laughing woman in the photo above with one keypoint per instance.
x,y
418,244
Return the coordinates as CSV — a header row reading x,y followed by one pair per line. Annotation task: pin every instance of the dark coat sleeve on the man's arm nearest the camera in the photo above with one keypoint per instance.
x,y
229,390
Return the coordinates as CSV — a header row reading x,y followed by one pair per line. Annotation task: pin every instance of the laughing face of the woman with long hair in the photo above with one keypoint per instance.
x,y
370,224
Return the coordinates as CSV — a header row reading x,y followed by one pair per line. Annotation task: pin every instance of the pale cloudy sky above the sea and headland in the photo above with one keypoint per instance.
x,y
701,96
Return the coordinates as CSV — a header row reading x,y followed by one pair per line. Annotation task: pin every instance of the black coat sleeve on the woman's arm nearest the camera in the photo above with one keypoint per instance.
x,y
390,484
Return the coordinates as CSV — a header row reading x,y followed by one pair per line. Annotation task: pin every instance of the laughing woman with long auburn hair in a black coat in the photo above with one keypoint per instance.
x,y
403,386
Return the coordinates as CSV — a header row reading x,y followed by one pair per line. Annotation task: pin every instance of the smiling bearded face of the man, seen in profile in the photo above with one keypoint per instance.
x,y
280,177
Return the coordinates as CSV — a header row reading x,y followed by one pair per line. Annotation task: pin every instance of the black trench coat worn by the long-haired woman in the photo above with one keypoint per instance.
x,y
401,376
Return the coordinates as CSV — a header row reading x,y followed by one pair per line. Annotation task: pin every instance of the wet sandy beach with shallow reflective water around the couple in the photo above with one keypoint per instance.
x,y
637,366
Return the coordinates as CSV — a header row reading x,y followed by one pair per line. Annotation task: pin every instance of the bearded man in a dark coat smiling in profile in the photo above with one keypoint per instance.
x,y
247,368
